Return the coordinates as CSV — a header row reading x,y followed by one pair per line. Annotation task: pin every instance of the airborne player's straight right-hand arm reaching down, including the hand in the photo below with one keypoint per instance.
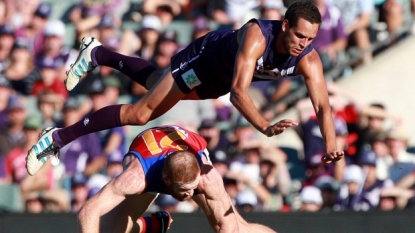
x,y
310,68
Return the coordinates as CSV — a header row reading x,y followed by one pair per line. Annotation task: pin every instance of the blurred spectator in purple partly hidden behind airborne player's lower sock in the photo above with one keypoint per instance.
x,y
83,154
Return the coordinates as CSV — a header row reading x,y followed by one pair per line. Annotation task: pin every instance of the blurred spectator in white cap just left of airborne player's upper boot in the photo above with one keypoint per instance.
x,y
54,48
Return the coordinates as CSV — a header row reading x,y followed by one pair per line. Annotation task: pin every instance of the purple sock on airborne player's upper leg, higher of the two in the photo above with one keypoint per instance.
x,y
135,68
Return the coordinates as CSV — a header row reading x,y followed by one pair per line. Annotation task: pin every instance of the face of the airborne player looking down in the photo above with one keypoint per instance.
x,y
297,38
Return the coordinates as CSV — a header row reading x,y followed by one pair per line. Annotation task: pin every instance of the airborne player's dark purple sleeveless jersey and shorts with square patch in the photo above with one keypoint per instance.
x,y
207,64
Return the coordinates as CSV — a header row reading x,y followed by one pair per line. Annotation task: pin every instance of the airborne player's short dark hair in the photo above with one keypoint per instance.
x,y
302,9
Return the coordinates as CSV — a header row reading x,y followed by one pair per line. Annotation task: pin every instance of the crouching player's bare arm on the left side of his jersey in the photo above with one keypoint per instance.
x,y
130,181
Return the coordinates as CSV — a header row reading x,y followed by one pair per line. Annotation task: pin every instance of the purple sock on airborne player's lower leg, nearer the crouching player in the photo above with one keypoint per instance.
x,y
105,118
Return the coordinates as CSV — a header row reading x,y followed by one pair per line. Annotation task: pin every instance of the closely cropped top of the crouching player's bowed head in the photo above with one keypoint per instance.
x,y
181,167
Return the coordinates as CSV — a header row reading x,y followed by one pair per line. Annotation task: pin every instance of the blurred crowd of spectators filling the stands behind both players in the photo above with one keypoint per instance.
x,y
378,171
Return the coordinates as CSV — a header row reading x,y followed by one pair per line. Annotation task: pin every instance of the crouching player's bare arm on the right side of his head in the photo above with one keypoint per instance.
x,y
215,202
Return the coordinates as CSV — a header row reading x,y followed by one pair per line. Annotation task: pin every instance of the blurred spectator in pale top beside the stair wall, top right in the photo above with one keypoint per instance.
x,y
356,15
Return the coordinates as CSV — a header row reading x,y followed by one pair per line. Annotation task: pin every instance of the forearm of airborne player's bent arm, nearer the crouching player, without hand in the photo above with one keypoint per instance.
x,y
244,104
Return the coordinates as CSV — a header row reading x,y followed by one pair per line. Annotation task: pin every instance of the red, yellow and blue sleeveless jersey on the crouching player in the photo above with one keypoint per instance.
x,y
153,145
